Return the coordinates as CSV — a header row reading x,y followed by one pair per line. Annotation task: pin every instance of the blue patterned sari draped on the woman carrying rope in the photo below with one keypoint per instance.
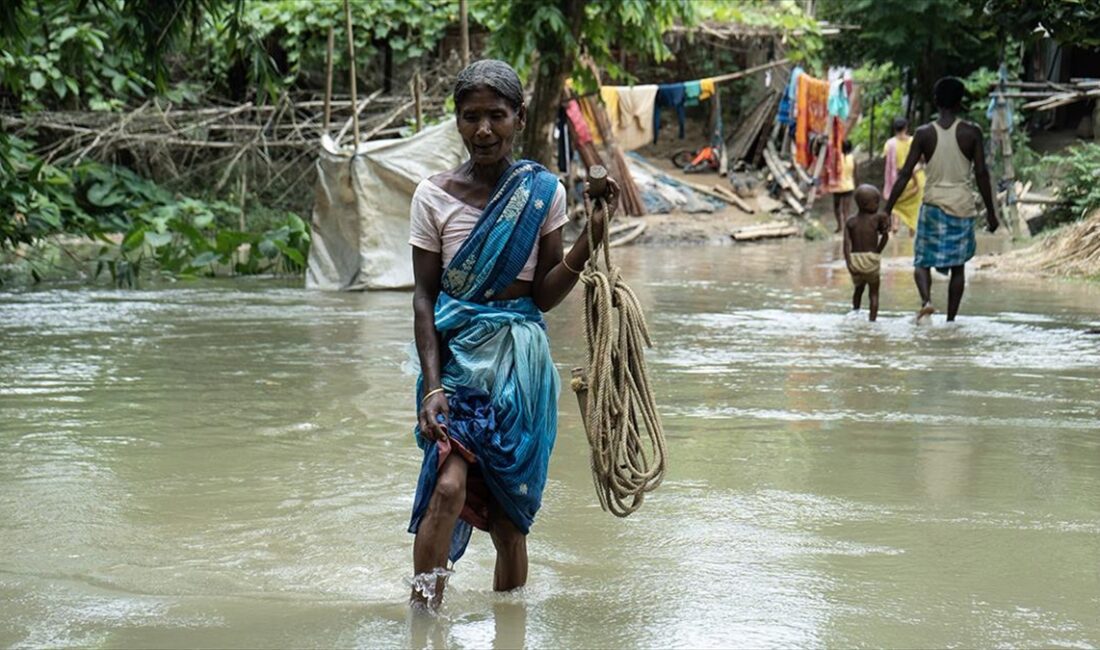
x,y
497,369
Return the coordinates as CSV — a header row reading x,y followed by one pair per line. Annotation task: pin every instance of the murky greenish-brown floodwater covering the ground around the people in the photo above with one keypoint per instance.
x,y
232,465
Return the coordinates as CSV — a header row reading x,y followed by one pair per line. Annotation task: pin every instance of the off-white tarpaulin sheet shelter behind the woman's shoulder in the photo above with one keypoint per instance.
x,y
361,211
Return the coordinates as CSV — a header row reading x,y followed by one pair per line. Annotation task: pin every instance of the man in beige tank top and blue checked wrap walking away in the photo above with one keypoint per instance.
x,y
945,238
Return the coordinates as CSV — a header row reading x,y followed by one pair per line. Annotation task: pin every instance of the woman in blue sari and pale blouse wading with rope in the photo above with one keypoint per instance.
x,y
488,261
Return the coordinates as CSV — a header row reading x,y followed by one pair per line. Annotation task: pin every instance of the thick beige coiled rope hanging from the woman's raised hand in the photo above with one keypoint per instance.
x,y
621,420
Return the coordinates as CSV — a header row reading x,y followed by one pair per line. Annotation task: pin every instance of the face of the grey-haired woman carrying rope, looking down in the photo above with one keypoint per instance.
x,y
489,125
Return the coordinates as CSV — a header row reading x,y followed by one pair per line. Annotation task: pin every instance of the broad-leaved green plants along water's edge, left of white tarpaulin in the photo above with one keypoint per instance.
x,y
177,236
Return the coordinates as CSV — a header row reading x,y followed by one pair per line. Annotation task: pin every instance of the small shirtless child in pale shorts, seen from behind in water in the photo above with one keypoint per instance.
x,y
865,236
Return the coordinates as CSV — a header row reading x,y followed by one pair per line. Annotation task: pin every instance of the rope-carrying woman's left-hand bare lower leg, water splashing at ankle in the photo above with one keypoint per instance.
x,y
434,536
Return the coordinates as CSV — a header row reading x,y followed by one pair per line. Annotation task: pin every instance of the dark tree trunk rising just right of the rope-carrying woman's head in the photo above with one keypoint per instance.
x,y
556,63
